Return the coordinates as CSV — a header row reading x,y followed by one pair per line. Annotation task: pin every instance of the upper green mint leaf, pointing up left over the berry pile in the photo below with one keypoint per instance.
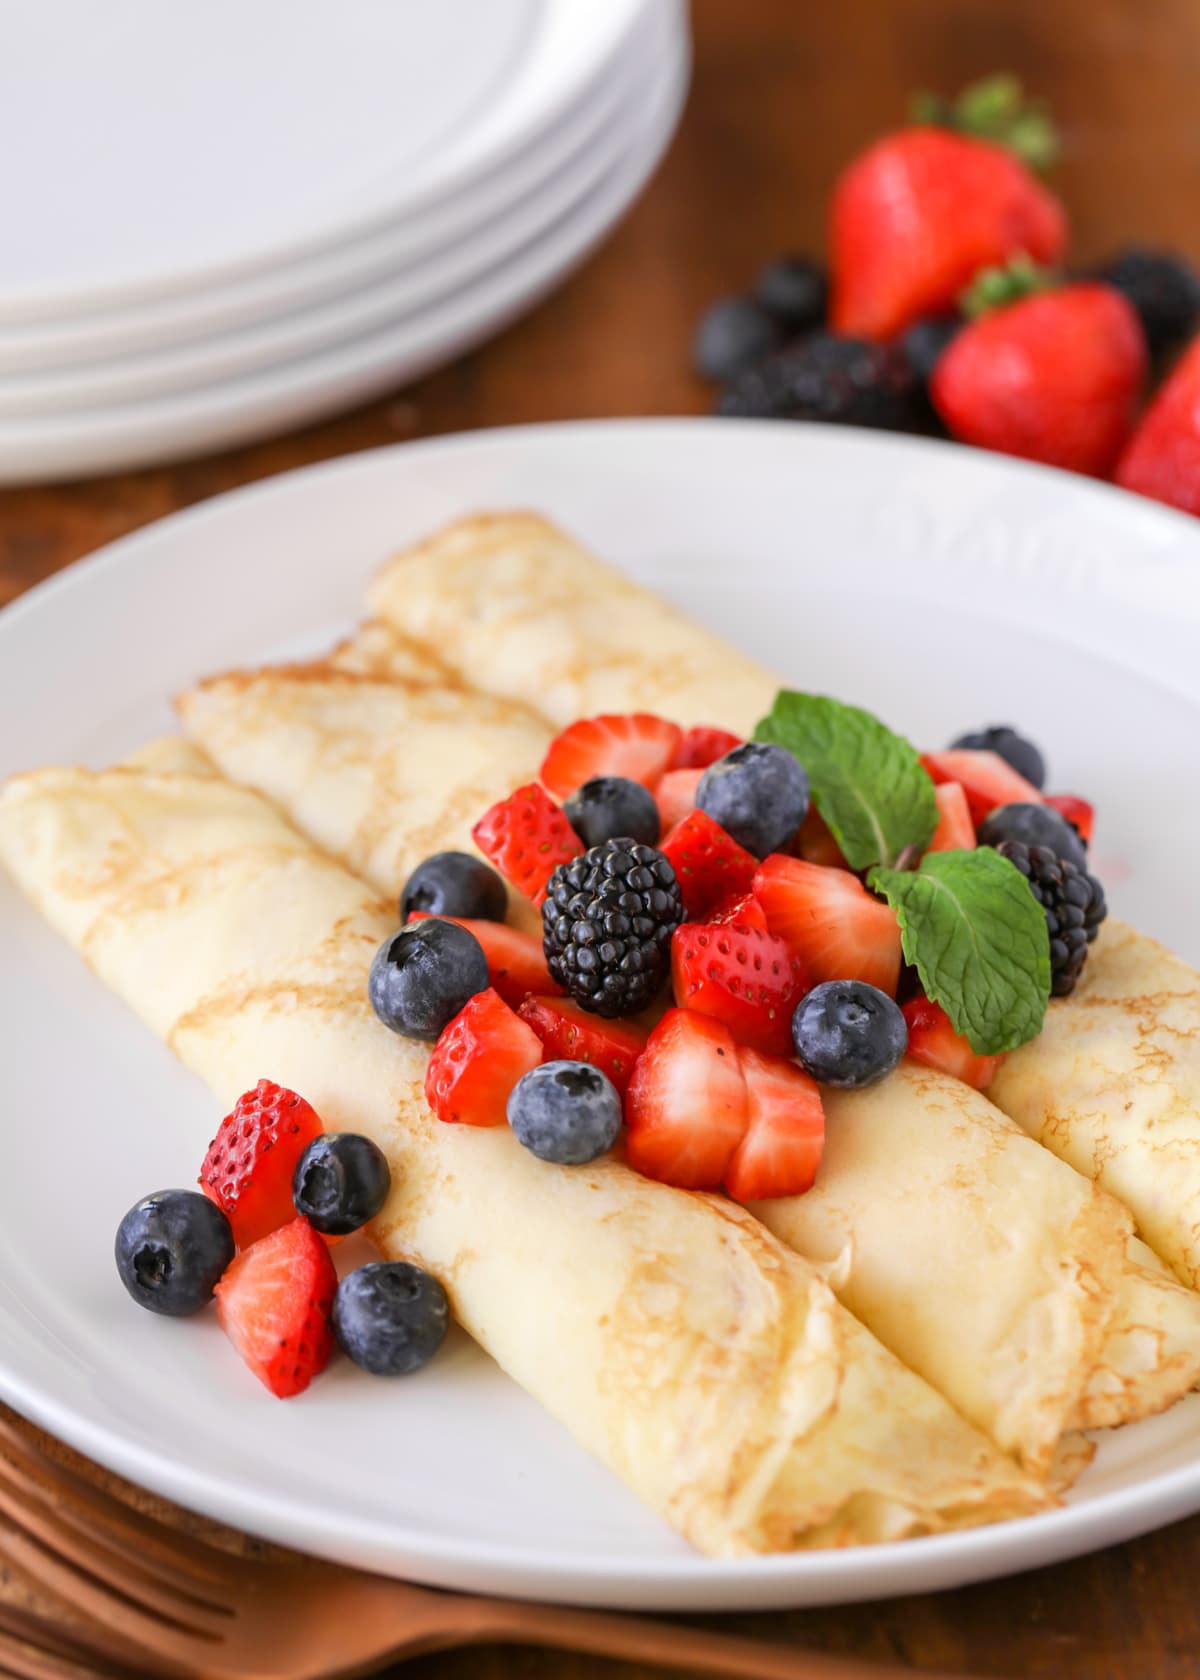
x,y
868,782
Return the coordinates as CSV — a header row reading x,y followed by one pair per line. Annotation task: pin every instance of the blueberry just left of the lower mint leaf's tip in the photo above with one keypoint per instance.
x,y
850,1034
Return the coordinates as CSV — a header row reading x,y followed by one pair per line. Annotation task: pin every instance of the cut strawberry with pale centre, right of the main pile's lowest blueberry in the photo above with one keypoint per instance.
x,y
687,1103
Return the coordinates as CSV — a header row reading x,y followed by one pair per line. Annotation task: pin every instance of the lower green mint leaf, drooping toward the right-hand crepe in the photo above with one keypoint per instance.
x,y
979,940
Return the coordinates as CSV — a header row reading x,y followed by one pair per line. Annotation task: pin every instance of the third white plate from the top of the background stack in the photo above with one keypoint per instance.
x,y
594,144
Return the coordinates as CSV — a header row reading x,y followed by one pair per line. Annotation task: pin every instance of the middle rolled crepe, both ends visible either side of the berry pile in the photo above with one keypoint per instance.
x,y
994,1271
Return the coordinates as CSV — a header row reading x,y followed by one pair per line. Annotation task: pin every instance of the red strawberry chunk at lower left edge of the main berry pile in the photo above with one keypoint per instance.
x,y
478,1061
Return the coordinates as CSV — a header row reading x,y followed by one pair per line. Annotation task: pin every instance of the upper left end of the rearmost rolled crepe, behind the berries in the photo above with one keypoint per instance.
x,y
517,607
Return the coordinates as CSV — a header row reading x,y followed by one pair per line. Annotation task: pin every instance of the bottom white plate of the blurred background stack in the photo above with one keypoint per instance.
x,y
293,392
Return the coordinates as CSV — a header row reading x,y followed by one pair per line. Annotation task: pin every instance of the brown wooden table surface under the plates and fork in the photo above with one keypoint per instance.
x,y
784,93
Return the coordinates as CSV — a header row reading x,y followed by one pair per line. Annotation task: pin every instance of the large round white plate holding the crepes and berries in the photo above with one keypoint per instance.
x,y
942,587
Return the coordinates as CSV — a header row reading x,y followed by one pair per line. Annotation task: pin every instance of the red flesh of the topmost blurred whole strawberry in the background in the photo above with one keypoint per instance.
x,y
917,216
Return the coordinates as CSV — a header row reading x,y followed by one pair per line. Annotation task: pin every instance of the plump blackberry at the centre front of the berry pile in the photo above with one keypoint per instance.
x,y
608,925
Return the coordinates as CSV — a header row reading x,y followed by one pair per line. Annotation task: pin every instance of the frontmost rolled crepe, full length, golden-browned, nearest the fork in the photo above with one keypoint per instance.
x,y
670,1333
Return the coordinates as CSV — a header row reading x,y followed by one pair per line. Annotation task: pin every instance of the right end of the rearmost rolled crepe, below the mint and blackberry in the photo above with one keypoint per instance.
x,y
1113,1086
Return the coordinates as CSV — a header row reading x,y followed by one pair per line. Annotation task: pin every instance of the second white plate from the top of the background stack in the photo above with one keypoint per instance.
x,y
389,251
